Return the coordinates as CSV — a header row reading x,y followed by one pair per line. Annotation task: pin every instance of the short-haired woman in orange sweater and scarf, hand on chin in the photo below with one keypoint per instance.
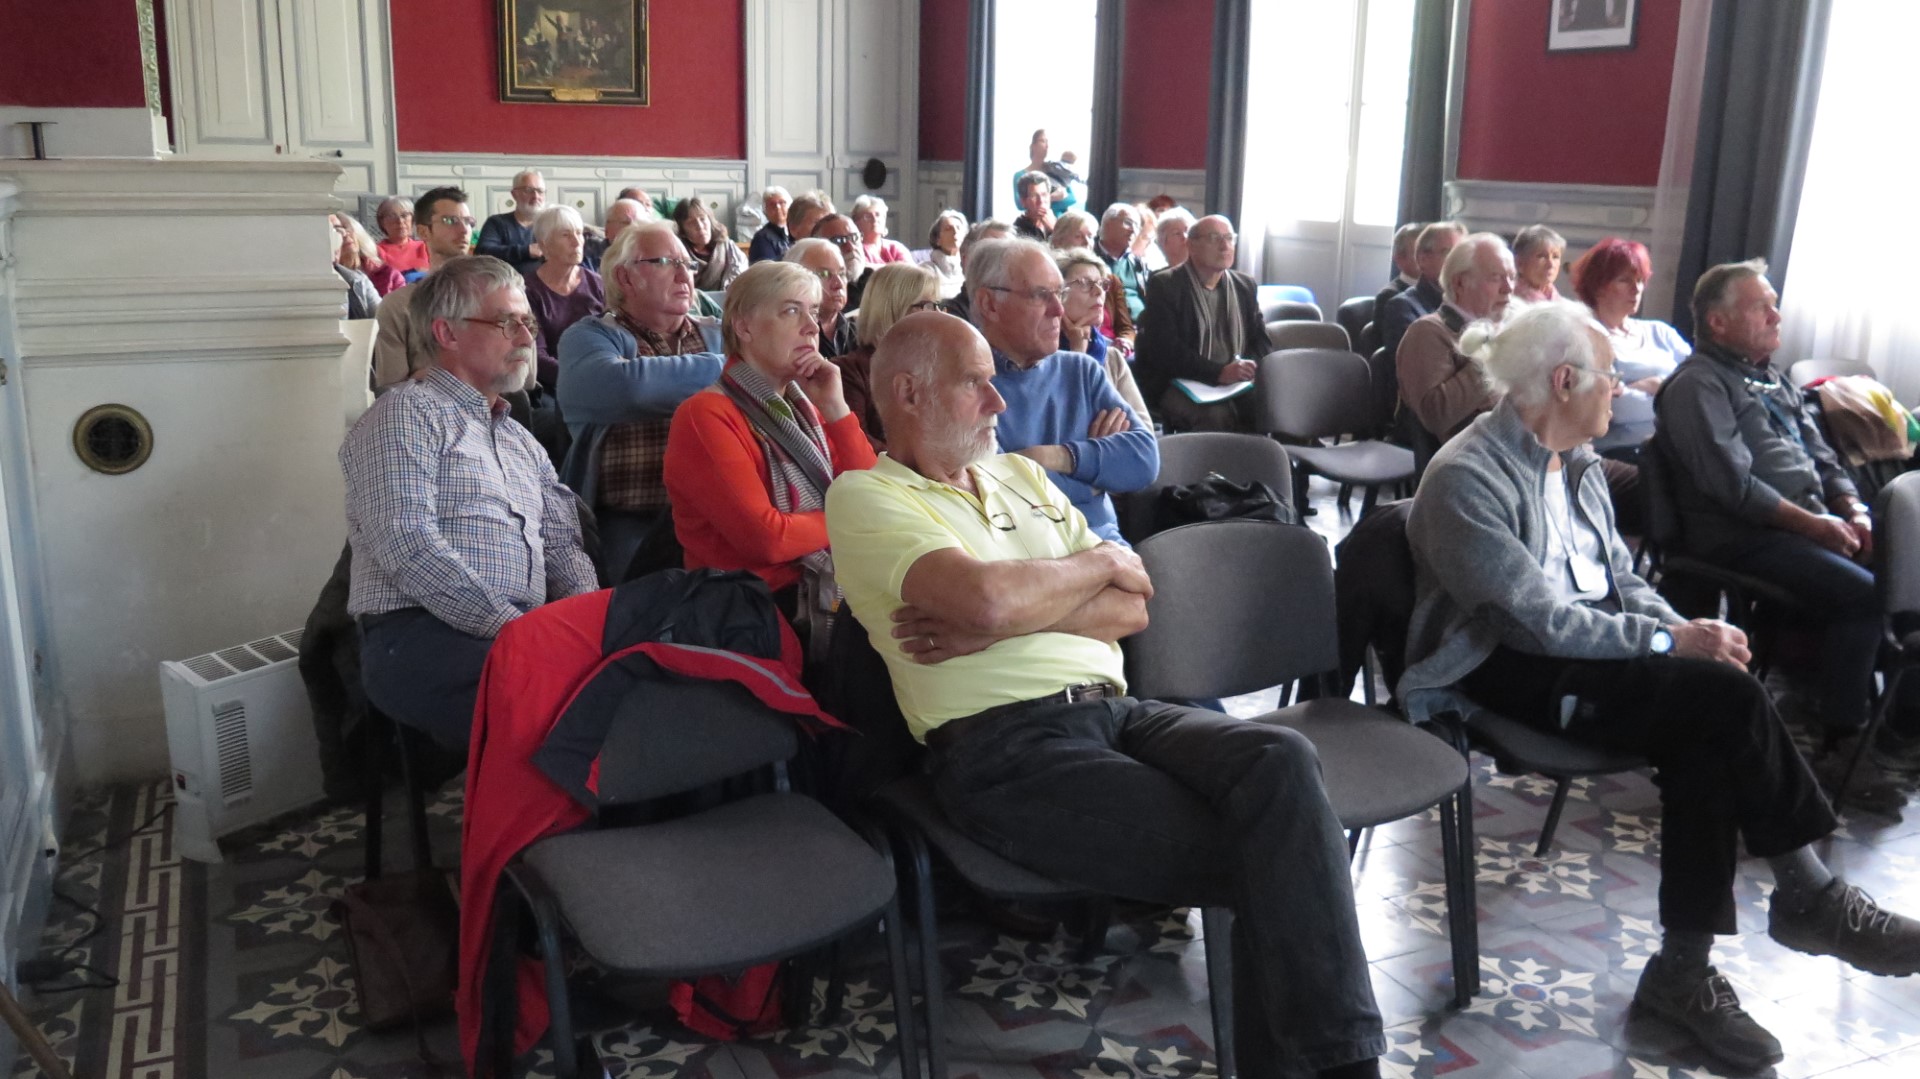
x,y
750,458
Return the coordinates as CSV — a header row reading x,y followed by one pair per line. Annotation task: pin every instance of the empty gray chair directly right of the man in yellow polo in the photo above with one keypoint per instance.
x,y
1245,606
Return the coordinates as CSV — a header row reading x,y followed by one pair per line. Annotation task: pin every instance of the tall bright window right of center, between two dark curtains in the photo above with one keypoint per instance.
x,y
1326,124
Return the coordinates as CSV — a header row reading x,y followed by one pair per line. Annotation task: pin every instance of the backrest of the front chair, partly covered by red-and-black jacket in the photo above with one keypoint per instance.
x,y
677,736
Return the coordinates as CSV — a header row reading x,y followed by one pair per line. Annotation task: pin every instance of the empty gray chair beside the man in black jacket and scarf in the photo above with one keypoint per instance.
x,y
1312,395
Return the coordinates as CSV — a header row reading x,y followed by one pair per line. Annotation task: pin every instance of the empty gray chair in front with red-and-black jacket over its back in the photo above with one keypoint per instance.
x,y
756,880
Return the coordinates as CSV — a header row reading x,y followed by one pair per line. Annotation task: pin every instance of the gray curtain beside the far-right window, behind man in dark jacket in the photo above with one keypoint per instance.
x,y
1760,89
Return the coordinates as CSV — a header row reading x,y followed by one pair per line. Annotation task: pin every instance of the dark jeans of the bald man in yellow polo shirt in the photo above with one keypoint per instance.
x,y
1178,805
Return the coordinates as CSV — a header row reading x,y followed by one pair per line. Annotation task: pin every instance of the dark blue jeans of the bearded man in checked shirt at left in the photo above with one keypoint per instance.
x,y
423,673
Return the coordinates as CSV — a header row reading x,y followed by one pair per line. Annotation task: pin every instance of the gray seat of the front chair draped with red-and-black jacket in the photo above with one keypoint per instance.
x,y
717,892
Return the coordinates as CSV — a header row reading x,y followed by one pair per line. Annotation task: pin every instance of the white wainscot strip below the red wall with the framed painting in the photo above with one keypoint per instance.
x,y
587,183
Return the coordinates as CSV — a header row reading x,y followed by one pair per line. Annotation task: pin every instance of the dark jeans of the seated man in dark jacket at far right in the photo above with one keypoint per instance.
x,y
1835,590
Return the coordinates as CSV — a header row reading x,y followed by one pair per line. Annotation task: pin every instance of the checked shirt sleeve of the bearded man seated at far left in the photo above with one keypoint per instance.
x,y
395,519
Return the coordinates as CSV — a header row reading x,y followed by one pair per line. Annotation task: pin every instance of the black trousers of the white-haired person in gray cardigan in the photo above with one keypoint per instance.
x,y
1723,761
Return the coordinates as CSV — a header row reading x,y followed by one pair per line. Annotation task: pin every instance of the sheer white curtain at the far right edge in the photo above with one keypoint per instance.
x,y
1852,245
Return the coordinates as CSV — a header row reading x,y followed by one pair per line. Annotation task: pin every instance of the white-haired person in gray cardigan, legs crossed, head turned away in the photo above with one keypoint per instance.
x,y
1529,606
